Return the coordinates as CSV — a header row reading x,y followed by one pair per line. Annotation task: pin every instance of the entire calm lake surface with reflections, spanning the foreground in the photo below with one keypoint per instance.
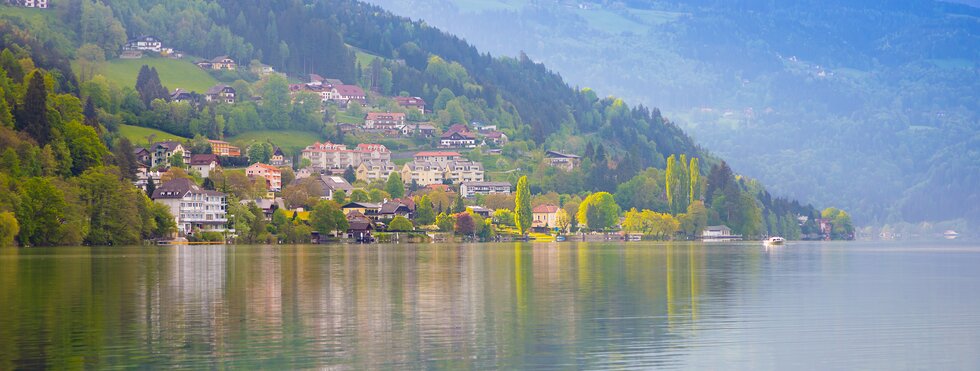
x,y
494,306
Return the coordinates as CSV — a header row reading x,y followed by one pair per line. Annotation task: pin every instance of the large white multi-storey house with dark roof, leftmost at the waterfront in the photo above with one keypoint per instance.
x,y
194,208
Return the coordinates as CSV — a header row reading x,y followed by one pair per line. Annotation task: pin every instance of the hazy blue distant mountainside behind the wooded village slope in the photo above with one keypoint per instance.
x,y
867,105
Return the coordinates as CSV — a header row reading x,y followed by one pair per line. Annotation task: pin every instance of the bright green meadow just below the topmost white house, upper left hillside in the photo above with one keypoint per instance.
x,y
174,73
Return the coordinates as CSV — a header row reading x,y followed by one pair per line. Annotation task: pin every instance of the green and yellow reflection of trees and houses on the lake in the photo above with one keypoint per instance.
x,y
470,306
